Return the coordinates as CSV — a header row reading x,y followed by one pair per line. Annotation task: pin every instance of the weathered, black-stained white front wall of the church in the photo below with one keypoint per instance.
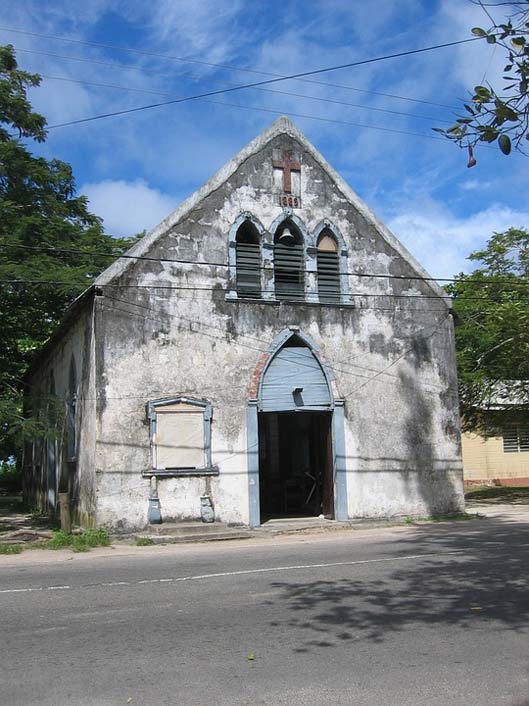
x,y
393,357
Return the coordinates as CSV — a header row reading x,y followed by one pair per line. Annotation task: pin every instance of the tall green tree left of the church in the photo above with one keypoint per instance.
x,y
39,208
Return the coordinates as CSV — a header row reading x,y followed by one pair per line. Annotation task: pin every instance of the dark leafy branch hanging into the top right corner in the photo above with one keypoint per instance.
x,y
500,114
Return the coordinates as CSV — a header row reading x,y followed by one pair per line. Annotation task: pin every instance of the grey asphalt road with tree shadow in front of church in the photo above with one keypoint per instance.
x,y
435,615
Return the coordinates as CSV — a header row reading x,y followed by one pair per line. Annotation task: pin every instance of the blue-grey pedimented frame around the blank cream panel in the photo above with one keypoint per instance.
x,y
207,469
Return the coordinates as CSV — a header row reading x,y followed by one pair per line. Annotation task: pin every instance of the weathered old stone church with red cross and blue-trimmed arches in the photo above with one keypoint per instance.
x,y
269,350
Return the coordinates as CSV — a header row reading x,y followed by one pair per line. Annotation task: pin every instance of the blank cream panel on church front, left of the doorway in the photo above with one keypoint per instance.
x,y
180,435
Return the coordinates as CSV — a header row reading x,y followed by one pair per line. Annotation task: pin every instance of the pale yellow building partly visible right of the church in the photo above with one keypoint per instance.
x,y
498,460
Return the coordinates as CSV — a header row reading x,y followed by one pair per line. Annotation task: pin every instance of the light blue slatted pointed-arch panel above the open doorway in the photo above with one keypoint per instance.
x,y
294,380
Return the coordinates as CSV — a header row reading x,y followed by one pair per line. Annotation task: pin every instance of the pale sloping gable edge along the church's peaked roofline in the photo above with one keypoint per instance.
x,y
280,126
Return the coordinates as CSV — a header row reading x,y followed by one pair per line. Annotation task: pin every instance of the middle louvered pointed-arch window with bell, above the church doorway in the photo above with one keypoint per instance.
x,y
289,262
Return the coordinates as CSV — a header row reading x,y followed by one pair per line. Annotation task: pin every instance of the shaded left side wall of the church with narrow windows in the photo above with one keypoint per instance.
x,y
48,469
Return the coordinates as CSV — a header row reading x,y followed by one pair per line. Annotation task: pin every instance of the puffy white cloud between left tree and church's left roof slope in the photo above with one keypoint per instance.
x,y
128,207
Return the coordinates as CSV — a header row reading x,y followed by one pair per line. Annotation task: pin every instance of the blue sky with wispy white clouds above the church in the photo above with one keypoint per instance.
x,y
135,169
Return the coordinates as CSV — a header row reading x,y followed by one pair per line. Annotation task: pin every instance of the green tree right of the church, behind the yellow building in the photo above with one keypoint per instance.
x,y
492,323
